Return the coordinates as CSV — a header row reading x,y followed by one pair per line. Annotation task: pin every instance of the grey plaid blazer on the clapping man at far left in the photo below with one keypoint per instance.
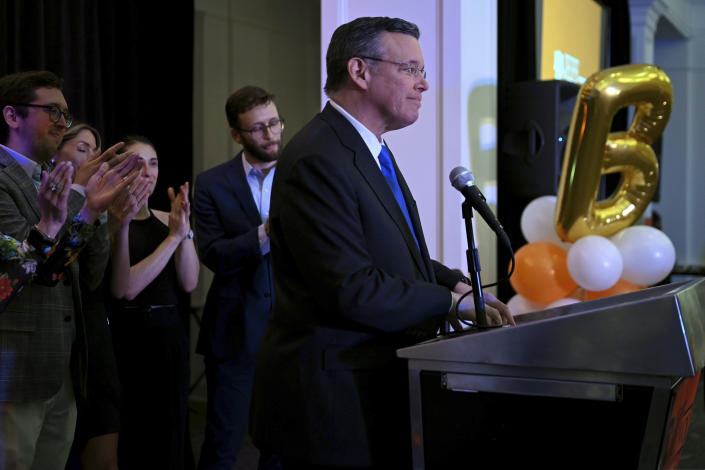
x,y
37,328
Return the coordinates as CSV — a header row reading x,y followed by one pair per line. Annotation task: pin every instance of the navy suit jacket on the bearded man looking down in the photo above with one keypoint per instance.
x,y
240,298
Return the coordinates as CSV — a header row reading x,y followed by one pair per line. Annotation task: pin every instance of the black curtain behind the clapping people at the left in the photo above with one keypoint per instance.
x,y
127,67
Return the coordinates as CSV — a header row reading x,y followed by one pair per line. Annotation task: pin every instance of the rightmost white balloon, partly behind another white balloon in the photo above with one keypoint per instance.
x,y
647,253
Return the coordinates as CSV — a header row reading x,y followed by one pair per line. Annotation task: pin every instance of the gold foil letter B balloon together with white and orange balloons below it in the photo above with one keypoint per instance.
x,y
607,255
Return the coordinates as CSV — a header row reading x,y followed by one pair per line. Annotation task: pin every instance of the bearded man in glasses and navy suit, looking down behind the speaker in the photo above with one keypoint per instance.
x,y
231,204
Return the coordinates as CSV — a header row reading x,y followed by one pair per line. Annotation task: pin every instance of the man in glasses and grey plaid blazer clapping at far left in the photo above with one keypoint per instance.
x,y
42,340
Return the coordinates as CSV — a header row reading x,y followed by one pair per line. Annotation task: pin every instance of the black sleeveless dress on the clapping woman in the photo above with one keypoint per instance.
x,y
151,351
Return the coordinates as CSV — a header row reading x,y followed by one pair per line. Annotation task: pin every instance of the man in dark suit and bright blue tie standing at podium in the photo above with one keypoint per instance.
x,y
352,273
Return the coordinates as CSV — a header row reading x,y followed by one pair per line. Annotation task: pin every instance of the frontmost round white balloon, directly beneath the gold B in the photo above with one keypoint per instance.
x,y
594,263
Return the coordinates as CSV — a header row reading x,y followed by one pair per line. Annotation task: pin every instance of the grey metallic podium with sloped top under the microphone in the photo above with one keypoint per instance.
x,y
607,383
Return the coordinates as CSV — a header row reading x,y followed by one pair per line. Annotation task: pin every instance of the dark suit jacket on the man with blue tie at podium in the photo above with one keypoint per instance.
x,y
350,283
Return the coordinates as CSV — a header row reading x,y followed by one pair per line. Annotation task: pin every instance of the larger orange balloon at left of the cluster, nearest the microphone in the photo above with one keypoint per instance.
x,y
541,273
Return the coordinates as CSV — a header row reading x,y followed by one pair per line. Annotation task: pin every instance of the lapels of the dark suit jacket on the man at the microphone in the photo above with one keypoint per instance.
x,y
365,163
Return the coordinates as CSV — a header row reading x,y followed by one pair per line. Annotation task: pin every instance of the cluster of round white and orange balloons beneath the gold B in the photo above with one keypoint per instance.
x,y
550,272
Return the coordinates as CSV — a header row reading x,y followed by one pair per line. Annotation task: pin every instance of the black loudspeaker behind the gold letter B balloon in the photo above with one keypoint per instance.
x,y
534,123
